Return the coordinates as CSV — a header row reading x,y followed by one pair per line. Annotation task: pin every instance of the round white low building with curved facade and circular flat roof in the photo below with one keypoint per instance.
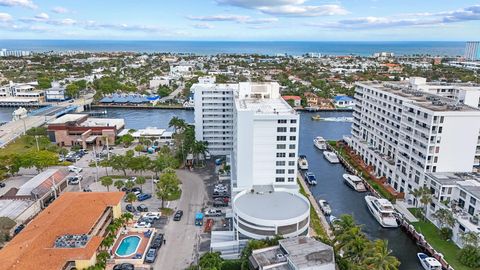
x,y
261,215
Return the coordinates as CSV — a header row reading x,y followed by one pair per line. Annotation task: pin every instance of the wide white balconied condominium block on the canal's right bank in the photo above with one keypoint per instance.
x,y
404,132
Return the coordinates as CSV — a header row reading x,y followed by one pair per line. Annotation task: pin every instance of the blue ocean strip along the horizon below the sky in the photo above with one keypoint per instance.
x,y
240,47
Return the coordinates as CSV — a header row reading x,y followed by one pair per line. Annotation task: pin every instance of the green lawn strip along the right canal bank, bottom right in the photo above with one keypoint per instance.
x,y
447,248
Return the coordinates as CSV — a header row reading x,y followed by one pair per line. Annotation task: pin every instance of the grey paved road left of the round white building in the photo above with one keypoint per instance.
x,y
182,237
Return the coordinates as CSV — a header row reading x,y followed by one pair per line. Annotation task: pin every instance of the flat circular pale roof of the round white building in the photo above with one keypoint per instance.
x,y
277,205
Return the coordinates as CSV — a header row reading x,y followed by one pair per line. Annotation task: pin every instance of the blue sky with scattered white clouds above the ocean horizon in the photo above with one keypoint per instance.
x,y
265,20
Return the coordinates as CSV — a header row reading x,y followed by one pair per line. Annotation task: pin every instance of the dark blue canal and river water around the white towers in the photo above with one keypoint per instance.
x,y
329,176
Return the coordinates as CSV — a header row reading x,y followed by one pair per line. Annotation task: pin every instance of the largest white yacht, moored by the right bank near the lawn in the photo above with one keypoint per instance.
x,y
382,210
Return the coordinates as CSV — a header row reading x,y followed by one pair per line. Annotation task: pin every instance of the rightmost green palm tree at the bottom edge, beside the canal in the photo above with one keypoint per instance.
x,y
380,258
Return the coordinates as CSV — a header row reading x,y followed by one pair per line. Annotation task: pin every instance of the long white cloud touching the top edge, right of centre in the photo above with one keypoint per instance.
x,y
292,8
